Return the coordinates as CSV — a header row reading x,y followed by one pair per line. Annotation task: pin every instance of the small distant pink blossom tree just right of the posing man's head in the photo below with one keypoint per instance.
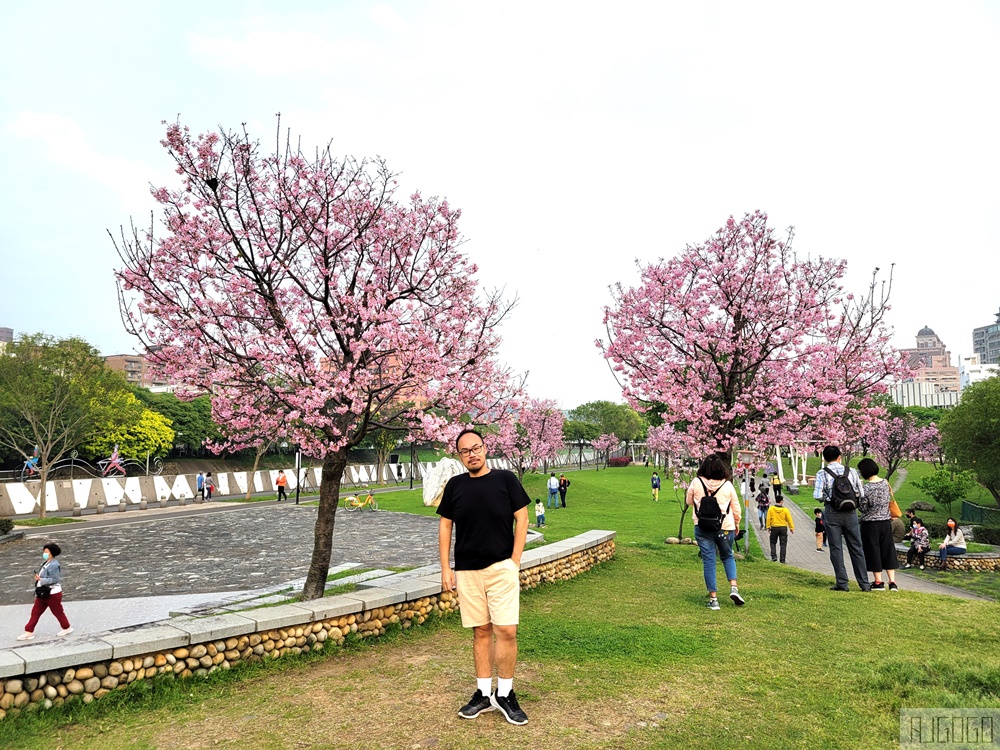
x,y
531,434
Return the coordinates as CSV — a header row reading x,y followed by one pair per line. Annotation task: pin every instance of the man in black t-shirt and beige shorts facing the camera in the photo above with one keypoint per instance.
x,y
483,507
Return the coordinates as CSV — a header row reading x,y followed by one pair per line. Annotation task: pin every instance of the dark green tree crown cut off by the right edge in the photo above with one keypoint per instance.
x,y
970,433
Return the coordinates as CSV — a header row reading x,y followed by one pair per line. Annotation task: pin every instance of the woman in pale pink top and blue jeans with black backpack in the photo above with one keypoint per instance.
x,y
716,518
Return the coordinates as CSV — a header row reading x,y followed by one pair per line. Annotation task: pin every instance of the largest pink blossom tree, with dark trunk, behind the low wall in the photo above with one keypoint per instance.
x,y
305,294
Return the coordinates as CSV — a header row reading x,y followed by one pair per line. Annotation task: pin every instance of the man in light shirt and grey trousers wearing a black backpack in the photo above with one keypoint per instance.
x,y
840,506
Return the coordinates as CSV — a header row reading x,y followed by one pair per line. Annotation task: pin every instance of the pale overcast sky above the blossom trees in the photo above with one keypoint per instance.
x,y
576,137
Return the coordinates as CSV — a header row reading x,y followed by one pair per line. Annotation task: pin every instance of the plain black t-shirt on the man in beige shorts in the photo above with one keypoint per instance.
x,y
482,509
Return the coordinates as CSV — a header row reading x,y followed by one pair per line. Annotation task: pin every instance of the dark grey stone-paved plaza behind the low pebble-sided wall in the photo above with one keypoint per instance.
x,y
248,547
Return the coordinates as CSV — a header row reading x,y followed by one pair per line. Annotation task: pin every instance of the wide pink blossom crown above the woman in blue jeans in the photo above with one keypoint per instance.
x,y
742,344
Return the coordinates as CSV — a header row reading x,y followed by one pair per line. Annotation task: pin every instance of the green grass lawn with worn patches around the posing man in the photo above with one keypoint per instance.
x,y
625,656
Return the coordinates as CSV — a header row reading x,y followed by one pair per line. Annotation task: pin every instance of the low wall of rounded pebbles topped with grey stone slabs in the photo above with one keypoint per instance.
x,y
43,675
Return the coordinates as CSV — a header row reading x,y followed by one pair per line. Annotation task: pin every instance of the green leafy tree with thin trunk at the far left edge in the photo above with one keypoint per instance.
x,y
55,394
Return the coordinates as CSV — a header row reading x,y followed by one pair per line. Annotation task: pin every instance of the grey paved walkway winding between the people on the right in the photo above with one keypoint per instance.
x,y
802,553
